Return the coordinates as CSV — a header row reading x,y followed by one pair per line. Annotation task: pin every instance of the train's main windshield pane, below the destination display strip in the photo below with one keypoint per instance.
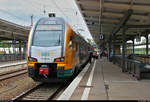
x,y
47,38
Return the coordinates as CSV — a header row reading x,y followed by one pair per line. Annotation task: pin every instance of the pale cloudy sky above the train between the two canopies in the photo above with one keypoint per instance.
x,y
20,12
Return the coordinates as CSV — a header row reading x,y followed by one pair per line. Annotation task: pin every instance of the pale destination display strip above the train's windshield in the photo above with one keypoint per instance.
x,y
49,27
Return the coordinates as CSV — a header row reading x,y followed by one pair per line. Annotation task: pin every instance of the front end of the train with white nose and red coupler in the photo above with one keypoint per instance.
x,y
46,48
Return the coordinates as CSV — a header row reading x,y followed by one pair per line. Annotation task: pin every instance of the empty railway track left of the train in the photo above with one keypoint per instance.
x,y
11,74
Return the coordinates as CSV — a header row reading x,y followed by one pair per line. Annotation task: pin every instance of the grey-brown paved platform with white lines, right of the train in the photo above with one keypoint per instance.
x,y
103,80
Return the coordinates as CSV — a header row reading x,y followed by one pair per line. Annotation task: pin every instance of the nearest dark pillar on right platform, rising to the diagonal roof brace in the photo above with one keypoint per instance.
x,y
123,49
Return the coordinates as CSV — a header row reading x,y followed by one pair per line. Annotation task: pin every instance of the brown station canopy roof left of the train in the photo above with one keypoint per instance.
x,y
12,31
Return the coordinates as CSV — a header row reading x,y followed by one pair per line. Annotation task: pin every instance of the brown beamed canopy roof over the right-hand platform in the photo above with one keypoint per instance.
x,y
113,15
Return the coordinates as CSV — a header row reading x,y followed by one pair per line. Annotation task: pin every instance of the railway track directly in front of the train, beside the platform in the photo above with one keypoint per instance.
x,y
40,92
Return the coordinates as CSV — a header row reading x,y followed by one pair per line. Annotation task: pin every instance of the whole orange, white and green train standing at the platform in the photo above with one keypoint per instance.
x,y
55,51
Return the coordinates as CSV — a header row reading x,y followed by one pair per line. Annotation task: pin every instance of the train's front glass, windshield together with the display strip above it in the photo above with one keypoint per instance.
x,y
47,36
